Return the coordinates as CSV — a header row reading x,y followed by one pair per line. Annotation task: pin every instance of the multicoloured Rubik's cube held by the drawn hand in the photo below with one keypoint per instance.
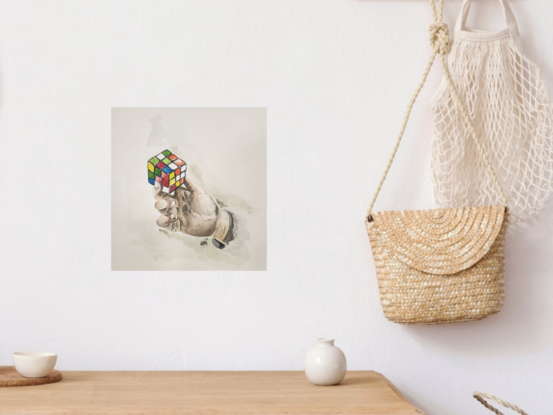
x,y
168,170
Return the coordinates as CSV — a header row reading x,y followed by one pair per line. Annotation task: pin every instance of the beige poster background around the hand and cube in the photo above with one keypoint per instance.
x,y
226,153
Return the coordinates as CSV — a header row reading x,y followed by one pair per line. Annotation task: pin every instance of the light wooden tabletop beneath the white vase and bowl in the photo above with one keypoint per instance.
x,y
213,393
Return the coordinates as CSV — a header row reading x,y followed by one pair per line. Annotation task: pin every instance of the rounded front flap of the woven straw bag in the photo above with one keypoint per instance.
x,y
439,241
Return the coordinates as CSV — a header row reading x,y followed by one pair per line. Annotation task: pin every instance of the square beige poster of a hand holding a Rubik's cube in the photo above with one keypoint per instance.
x,y
189,189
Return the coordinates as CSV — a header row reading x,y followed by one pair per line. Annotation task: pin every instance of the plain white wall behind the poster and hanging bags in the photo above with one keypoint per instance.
x,y
335,76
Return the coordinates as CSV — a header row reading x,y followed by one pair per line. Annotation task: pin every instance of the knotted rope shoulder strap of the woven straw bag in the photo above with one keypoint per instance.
x,y
441,45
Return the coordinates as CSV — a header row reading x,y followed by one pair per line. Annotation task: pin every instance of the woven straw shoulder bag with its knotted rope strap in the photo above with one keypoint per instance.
x,y
443,265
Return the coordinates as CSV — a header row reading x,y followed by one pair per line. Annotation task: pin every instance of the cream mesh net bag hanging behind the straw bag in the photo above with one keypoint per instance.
x,y
508,103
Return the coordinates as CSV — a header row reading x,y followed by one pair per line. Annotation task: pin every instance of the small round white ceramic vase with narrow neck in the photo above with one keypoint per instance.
x,y
325,364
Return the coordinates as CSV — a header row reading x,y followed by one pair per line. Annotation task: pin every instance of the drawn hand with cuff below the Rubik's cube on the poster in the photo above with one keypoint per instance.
x,y
193,211
